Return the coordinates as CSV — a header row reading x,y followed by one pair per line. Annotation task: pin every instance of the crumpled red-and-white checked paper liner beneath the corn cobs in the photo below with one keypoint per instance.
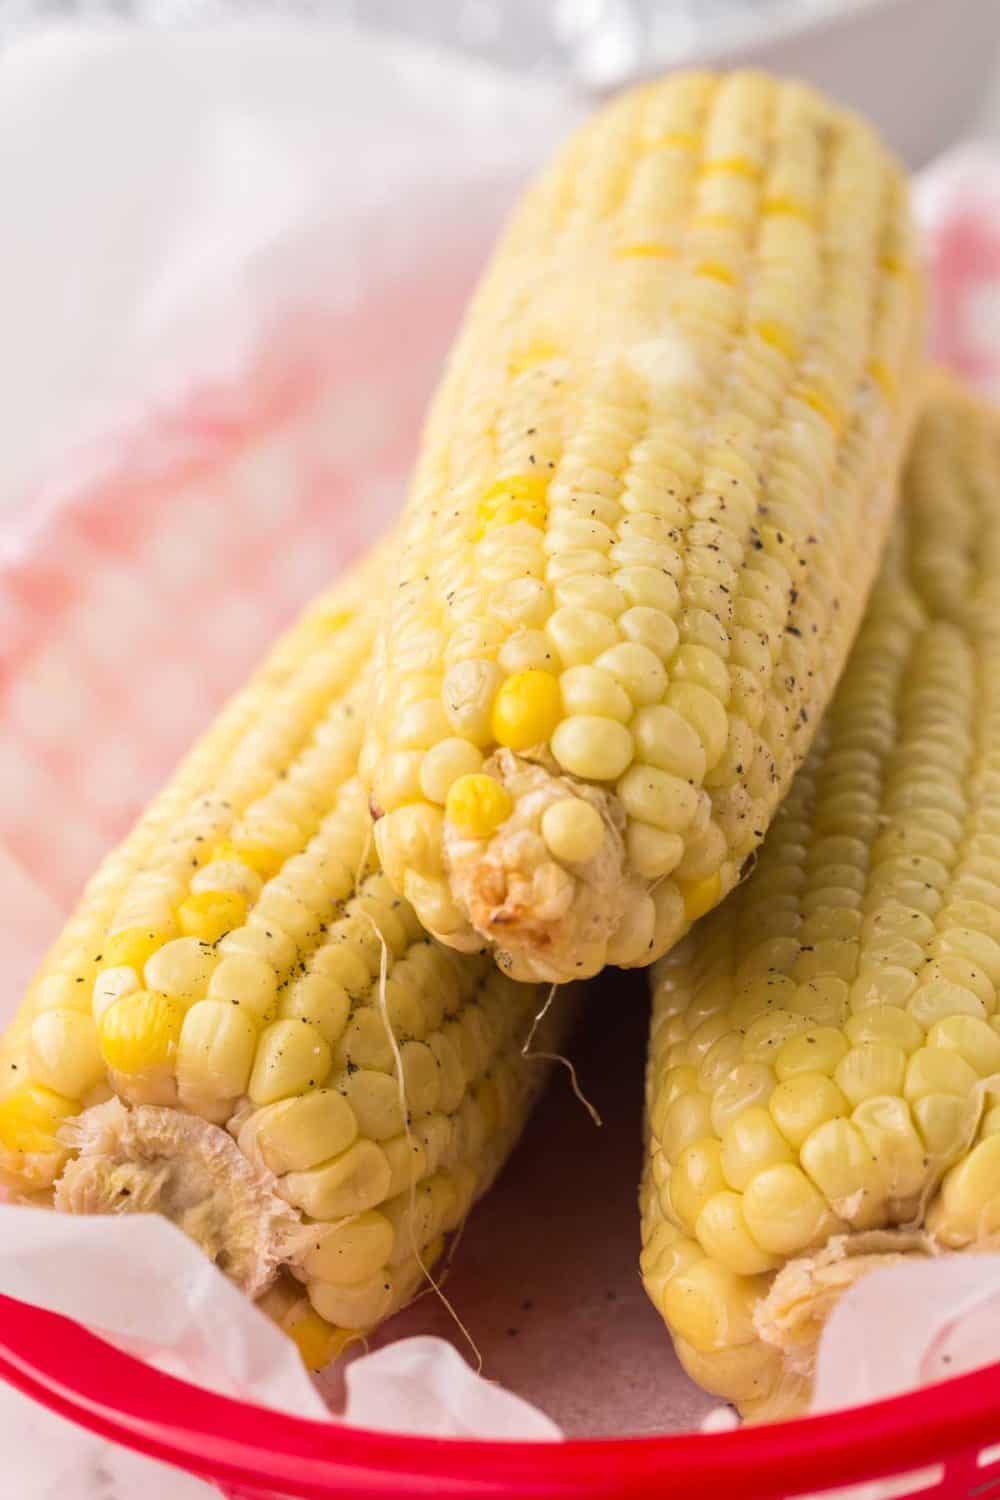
x,y
211,418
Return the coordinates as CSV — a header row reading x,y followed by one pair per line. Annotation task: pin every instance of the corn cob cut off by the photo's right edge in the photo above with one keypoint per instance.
x,y
825,1055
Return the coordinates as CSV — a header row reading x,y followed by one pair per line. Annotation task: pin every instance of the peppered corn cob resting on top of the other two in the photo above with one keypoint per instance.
x,y
650,505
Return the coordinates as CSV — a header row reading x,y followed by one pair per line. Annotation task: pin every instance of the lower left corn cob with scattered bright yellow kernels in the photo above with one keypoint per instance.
x,y
221,1030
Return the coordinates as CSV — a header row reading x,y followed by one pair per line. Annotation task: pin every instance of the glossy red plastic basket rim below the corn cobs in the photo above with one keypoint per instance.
x,y
101,1388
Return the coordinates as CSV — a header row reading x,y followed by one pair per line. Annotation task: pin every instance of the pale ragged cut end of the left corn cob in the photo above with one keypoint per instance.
x,y
154,1160
